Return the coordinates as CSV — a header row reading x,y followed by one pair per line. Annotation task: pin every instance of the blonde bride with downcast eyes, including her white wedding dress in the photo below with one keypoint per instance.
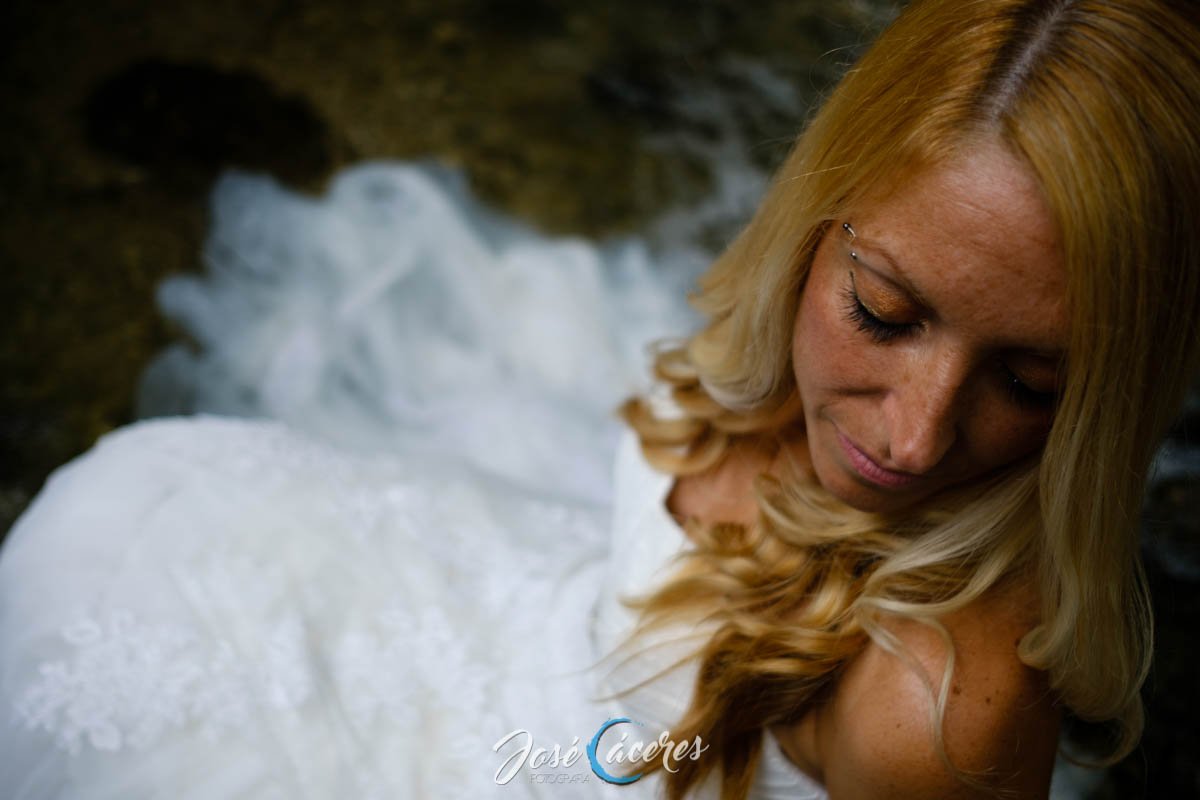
x,y
872,536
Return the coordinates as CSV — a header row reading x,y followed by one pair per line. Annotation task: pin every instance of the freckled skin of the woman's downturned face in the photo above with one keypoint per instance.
x,y
976,239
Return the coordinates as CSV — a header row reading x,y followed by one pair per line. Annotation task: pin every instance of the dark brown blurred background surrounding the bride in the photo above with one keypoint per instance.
x,y
596,121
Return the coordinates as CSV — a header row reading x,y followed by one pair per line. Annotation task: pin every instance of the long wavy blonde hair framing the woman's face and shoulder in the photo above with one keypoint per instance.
x,y
1102,101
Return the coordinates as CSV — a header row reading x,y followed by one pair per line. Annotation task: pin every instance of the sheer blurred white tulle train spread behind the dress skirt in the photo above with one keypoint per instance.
x,y
395,315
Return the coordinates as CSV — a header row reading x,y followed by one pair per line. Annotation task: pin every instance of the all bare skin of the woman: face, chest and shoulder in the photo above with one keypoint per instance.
x,y
977,244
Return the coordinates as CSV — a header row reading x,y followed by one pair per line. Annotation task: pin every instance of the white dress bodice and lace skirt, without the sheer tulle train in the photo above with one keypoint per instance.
x,y
224,609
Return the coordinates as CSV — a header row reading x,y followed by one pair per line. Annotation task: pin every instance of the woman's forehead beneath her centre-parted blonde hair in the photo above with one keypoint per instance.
x,y
977,244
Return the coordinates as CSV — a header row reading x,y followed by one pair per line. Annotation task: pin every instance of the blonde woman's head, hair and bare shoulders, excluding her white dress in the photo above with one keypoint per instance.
x,y
951,341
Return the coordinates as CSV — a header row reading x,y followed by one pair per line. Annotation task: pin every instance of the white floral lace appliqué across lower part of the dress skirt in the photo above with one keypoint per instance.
x,y
128,683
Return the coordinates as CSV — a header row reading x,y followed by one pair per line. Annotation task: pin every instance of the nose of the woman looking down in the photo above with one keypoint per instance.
x,y
922,412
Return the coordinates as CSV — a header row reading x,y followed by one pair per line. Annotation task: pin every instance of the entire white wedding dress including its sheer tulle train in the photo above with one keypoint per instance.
x,y
417,548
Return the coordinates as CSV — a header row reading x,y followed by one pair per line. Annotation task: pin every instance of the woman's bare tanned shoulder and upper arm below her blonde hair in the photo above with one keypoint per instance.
x,y
875,738
